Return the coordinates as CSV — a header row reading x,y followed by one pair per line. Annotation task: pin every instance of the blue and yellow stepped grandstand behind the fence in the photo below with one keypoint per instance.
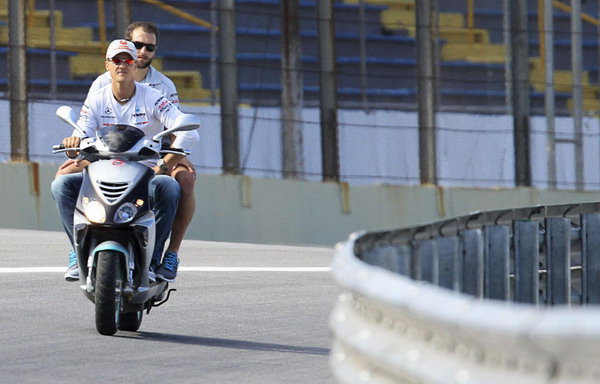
x,y
472,70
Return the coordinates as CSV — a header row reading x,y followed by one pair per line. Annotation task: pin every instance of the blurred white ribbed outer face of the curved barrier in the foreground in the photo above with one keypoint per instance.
x,y
389,328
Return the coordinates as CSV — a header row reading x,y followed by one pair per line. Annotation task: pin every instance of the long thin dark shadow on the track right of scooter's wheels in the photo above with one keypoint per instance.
x,y
223,343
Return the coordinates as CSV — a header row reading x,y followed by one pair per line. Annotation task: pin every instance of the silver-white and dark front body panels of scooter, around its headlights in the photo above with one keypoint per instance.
x,y
113,183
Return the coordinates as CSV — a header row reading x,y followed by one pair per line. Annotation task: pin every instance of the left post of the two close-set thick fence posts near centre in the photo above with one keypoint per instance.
x,y
292,96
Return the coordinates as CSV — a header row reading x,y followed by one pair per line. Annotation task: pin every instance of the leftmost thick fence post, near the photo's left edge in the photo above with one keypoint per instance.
x,y
17,81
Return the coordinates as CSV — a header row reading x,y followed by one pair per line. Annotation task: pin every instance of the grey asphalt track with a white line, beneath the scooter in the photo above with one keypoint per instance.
x,y
242,313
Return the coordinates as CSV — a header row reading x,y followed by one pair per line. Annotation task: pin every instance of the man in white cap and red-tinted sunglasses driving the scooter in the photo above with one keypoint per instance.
x,y
126,102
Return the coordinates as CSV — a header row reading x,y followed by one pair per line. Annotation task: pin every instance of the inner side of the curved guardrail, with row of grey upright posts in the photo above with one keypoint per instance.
x,y
545,255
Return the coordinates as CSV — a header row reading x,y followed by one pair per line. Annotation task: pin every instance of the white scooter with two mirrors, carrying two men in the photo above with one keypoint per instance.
x,y
114,226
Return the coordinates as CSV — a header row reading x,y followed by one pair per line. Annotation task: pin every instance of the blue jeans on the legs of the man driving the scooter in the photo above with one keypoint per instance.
x,y
164,198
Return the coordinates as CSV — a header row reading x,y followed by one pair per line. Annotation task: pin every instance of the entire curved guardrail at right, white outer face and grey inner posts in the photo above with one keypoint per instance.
x,y
490,297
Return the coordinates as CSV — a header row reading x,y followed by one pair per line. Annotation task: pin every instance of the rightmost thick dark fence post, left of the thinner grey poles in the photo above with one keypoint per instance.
x,y
520,84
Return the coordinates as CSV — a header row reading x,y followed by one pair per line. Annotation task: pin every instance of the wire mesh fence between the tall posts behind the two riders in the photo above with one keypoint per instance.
x,y
376,76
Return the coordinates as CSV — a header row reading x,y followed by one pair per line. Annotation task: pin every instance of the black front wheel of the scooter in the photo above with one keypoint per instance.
x,y
109,289
